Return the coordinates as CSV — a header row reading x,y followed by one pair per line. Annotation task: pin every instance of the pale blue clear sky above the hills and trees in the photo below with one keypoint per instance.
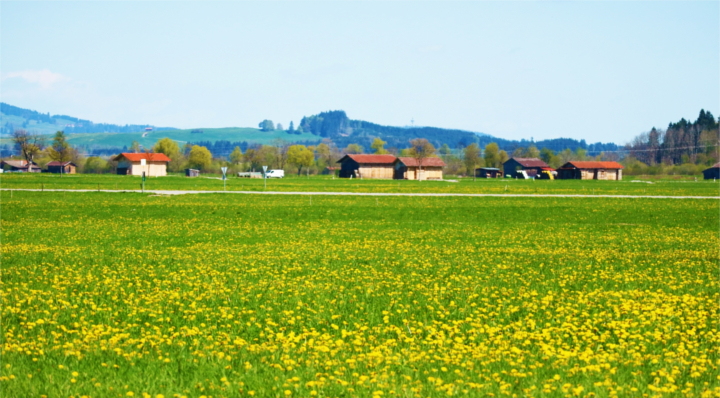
x,y
599,71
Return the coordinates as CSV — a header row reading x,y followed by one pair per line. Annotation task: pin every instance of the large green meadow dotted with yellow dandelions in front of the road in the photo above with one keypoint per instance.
x,y
109,295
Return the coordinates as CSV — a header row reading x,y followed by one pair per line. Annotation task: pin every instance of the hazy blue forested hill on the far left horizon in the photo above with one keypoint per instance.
x,y
13,117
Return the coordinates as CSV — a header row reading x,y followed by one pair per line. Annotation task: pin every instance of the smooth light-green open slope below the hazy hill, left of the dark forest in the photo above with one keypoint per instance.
x,y
232,134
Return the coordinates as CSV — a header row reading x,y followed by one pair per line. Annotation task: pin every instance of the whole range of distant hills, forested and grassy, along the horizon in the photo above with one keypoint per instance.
x,y
103,139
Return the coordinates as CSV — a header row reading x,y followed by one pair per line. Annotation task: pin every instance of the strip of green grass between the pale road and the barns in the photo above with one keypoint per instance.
x,y
328,184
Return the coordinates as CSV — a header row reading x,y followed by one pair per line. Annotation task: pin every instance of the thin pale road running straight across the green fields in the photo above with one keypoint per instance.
x,y
480,195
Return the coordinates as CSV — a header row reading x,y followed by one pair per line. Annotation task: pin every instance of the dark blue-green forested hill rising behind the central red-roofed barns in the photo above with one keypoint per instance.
x,y
343,131
